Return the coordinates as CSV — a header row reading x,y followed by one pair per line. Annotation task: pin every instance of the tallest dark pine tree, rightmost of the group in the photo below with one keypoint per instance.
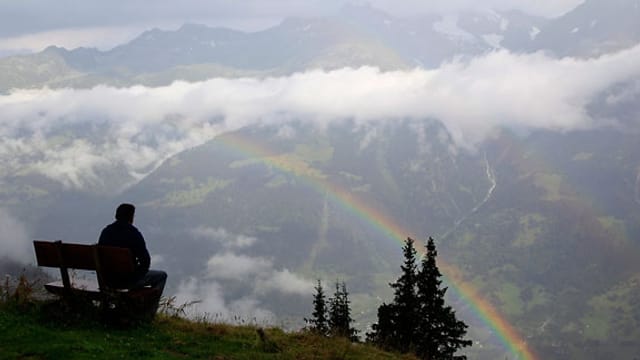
x,y
439,333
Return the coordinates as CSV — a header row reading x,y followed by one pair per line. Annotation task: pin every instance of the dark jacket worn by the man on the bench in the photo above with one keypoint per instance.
x,y
123,234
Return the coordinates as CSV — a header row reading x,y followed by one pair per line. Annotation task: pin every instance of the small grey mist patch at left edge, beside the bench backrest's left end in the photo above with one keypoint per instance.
x,y
14,240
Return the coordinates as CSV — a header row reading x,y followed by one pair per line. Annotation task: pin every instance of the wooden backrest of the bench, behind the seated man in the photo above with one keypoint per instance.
x,y
108,262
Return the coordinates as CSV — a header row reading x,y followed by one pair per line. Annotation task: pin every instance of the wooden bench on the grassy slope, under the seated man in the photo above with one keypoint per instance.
x,y
108,263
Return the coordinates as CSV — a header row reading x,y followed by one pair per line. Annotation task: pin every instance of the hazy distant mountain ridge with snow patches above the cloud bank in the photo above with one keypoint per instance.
x,y
357,36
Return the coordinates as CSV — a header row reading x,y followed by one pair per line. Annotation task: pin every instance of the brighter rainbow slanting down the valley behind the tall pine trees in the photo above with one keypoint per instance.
x,y
462,289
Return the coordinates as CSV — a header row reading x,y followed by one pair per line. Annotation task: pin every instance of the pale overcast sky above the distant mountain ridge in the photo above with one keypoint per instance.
x,y
31,25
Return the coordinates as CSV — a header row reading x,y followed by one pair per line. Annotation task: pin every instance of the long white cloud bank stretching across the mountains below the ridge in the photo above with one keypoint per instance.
x,y
69,134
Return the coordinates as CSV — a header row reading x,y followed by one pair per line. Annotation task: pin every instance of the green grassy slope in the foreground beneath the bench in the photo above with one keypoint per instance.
x,y
32,329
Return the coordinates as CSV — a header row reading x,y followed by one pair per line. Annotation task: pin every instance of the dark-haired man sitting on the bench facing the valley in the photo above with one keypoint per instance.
x,y
122,233
